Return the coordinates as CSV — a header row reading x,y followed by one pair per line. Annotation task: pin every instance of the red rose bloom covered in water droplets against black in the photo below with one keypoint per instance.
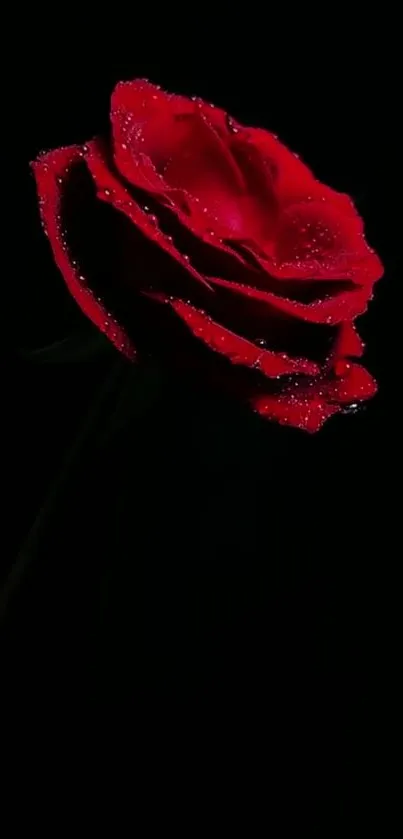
x,y
210,242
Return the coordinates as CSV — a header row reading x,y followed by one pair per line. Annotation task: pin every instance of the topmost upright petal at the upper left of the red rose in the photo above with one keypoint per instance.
x,y
162,139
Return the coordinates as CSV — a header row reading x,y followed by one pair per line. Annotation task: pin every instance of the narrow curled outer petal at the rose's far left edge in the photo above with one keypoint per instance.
x,y
52,171
